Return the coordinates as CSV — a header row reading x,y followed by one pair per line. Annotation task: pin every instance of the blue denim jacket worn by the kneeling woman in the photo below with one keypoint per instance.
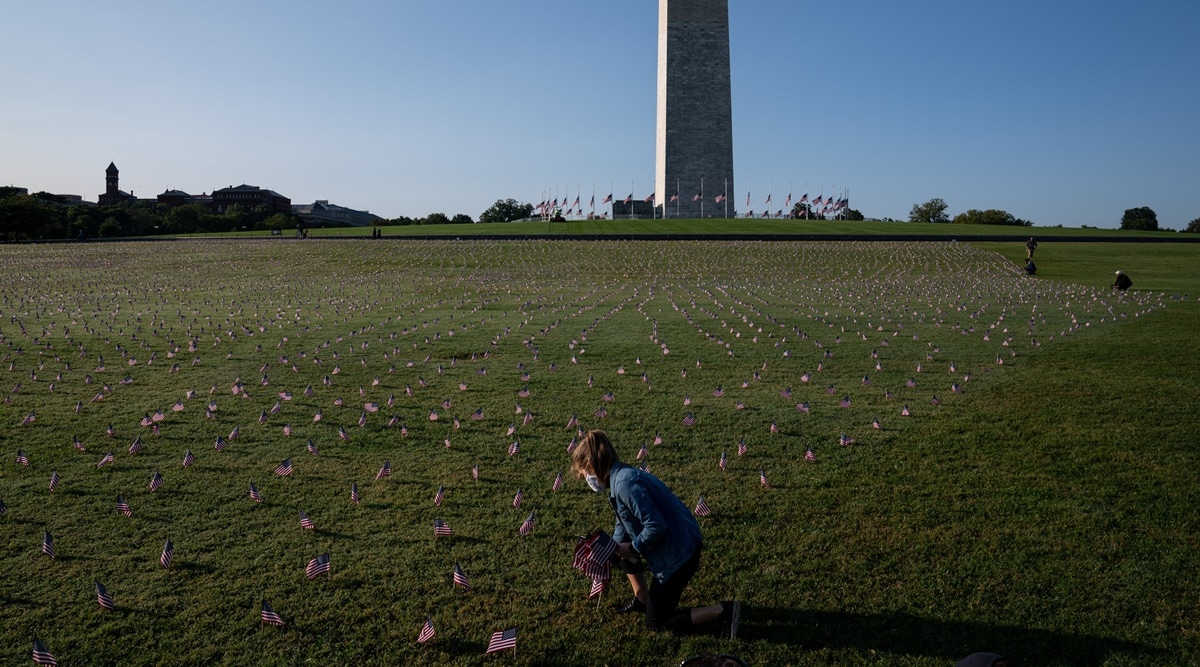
x,y
655,520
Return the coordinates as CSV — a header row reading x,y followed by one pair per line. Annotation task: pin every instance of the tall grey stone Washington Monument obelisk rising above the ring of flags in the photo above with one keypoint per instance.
x,y
695,119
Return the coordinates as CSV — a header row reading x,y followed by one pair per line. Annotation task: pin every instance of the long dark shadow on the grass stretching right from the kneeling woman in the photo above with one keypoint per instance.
x,y
910,635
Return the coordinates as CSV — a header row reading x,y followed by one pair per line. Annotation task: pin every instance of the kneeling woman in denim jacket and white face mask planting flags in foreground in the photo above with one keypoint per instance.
x,y
655,525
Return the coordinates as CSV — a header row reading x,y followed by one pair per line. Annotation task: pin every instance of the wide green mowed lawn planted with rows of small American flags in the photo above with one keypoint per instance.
x,y
1047,512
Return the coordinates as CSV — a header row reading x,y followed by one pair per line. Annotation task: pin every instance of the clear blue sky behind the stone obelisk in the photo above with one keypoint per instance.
x,y
1063,112
